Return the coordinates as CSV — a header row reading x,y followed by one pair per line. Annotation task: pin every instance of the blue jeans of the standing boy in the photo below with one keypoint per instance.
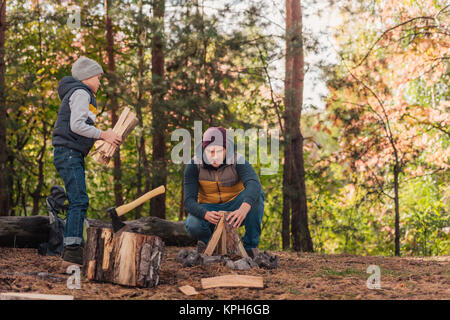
x,y
70,165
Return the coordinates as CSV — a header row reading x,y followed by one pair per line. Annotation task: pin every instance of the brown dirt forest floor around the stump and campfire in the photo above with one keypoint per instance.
x,y
300,276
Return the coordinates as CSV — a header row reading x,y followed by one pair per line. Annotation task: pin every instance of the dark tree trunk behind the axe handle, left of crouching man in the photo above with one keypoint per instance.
x,y
159,121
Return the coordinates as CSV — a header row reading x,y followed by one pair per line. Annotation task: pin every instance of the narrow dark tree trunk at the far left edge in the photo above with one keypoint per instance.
x,y
4,185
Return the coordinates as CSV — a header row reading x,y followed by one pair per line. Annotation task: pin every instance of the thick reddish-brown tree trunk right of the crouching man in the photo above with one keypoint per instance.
x,y
294,141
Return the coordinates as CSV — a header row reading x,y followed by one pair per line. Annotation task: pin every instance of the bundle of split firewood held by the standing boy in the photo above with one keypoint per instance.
x,y
126,123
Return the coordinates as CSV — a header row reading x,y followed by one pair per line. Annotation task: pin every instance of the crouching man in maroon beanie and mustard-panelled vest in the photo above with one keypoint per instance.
x,y
220,185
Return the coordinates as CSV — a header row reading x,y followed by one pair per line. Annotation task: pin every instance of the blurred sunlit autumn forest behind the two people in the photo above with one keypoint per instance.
x,y
375,149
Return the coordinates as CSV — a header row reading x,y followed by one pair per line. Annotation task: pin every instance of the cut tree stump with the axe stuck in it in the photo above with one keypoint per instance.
x,y
126,258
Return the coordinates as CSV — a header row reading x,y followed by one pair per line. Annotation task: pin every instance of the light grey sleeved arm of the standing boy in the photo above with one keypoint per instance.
x,y
79,112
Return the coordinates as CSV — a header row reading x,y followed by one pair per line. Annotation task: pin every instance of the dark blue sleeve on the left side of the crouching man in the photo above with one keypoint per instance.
x,y
191,192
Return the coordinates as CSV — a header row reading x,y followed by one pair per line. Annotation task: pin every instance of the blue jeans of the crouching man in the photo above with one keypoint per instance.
x,y
202,230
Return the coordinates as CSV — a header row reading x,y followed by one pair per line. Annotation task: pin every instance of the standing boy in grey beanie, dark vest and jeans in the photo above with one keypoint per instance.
x,y
73,136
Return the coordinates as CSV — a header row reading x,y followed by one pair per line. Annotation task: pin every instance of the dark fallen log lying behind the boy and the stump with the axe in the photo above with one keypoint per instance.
x,y
29,232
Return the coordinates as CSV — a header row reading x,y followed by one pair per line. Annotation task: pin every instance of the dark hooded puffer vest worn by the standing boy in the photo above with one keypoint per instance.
x,y
62,134
